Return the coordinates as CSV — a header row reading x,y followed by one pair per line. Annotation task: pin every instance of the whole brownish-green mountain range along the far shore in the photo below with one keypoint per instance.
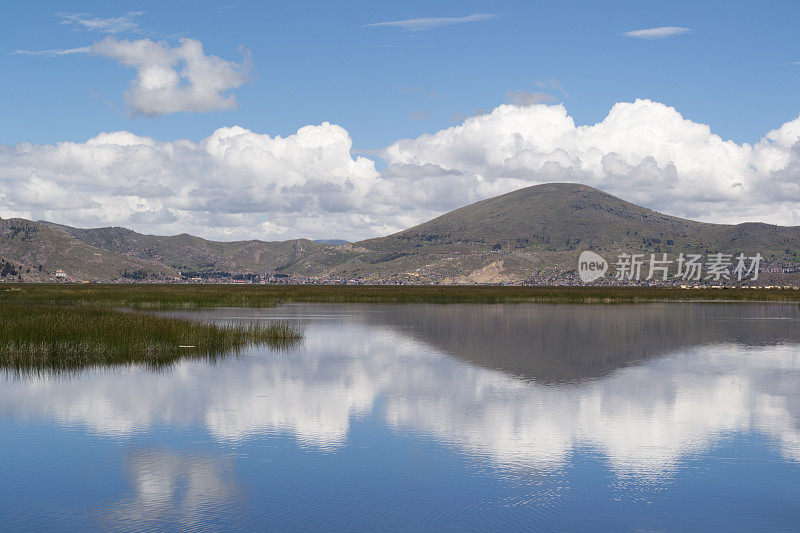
x,y
530,235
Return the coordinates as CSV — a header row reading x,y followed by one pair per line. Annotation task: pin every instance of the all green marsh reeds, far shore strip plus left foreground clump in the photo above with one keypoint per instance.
x,y
66,326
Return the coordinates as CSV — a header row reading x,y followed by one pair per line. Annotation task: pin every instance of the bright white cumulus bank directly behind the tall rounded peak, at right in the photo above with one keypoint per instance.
x,y
644,151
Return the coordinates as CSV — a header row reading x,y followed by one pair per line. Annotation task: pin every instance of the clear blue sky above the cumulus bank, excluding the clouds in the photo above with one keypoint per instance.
x,y
316,61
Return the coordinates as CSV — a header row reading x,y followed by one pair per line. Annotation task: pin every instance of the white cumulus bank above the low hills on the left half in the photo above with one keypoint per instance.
x,y
233,184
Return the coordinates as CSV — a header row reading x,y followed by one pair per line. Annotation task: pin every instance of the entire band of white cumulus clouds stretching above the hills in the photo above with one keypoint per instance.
x,y
238,184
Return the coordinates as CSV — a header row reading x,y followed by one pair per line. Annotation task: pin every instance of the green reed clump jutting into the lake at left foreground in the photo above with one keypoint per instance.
x,y
59,337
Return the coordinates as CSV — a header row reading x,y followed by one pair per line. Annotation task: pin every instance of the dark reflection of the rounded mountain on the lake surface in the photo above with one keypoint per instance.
x,y
562,343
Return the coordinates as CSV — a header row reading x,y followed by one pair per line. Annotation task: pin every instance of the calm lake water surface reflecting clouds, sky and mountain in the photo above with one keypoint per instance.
x,y
424,417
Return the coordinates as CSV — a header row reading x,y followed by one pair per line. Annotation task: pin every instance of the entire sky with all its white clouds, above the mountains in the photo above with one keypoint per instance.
x,y
238,120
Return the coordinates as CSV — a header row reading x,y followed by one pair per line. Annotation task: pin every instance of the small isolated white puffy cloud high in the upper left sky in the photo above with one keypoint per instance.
x,y
176,79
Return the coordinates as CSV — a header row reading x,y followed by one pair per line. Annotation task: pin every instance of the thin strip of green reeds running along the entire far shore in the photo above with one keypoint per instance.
x,y
187,296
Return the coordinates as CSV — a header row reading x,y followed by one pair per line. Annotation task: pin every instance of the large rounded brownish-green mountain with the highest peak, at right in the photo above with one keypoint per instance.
x,y
536,233
